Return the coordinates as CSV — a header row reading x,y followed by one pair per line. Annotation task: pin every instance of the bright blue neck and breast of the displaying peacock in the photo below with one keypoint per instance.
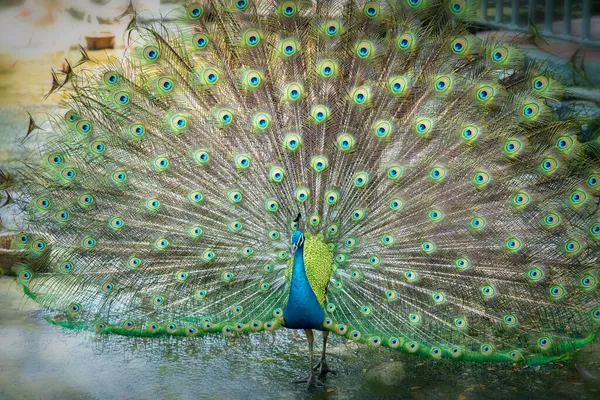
x,y
303,310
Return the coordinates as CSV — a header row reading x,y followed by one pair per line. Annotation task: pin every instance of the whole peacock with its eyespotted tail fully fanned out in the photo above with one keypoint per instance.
x,y
370,169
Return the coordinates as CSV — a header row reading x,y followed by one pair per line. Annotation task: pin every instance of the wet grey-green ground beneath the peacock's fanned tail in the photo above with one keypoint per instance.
x,y
42,361
